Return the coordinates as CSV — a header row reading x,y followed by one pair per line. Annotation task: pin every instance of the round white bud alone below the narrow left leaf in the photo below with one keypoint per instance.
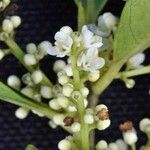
x,y
21,113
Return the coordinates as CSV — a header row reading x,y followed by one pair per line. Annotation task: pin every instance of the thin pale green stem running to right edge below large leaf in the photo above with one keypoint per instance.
x,y
136,72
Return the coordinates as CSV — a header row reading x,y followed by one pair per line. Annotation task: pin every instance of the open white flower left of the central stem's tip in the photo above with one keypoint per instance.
x,y
63,42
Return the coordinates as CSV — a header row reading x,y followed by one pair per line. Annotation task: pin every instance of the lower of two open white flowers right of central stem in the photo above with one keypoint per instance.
x,y
90,60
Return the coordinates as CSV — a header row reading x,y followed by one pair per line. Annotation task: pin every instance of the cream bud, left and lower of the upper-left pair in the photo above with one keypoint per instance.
x,y
7,26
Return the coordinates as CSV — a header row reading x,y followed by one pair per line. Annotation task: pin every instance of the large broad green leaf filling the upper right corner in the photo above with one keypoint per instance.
x,y
133,34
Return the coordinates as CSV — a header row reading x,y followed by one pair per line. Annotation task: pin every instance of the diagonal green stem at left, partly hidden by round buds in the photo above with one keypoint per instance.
x,y
19,54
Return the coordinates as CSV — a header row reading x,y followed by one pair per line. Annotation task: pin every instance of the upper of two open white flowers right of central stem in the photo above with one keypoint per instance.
x,y
89,39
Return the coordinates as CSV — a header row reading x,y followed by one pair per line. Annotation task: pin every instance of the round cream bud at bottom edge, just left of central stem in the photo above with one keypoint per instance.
x,y
64,145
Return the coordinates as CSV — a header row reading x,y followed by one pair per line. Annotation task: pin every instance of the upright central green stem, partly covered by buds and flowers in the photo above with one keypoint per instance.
x,y
84,132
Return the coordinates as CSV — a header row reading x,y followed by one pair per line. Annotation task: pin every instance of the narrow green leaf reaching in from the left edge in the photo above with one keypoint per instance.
x,y
9,95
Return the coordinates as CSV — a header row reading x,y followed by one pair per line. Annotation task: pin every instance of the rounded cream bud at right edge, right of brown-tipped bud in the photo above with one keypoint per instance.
x,y
144,124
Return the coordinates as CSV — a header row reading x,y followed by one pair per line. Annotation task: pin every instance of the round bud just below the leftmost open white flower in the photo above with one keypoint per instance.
x,y
59,65
